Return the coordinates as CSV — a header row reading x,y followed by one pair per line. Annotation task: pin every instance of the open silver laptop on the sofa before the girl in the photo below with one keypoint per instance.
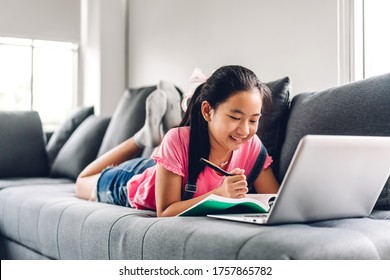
x,y
329,177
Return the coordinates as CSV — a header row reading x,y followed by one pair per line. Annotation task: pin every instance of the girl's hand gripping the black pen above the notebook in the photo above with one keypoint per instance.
x,y
234,186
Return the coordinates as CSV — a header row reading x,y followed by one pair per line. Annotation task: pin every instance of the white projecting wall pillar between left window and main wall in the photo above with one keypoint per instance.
x,y
103,54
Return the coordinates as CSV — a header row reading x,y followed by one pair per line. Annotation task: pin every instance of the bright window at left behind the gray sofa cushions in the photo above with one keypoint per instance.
x,y
38,75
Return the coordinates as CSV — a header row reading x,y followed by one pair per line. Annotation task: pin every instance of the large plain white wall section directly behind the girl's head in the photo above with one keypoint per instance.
x,y
278,38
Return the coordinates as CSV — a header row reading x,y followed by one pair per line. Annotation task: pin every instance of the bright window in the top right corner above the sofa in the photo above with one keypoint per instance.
x,y
371,40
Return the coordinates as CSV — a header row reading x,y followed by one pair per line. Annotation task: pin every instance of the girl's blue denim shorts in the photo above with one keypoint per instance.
x,y
112,183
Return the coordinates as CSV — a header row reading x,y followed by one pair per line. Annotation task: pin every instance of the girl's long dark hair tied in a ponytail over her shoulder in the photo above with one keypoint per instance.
x,y
223,83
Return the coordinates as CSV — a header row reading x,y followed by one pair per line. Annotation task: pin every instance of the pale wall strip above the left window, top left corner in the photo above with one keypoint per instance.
x,y
41,19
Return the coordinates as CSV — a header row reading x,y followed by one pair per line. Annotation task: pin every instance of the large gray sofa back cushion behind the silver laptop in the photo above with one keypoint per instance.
x,y
358,108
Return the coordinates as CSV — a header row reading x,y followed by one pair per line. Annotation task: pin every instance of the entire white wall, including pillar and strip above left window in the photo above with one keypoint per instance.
x,y
167,39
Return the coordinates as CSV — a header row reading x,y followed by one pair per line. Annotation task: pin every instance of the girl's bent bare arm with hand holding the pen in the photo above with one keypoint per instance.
x,y
168,191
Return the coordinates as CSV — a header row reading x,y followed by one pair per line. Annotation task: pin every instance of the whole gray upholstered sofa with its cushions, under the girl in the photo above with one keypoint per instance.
x,y
40,217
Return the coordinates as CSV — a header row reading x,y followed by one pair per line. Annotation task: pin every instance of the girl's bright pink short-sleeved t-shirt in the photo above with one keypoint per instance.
x,y
173,155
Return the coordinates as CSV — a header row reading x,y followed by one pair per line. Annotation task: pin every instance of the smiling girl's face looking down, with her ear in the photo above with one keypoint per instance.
x,y
233,122
